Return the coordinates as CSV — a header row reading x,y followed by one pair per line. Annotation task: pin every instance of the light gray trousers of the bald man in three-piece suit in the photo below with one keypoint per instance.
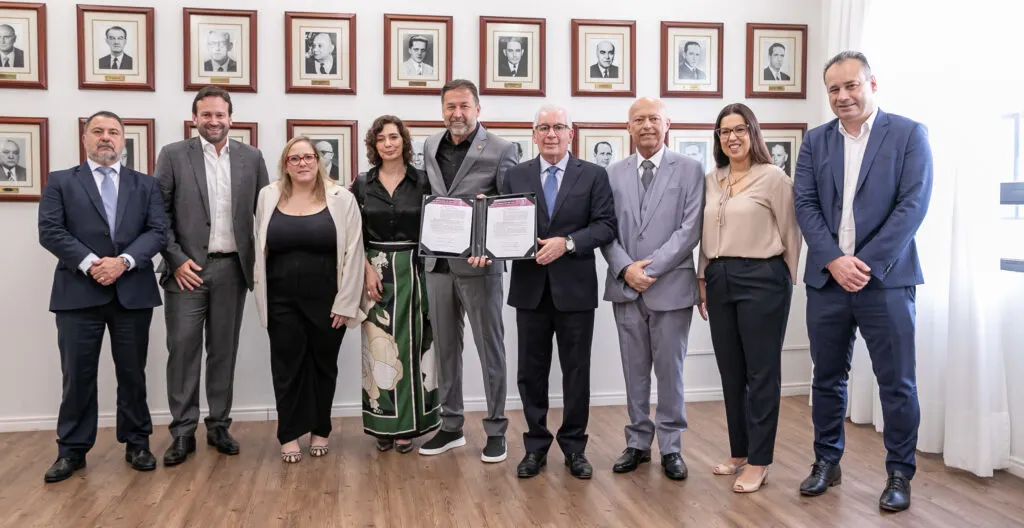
x,y
649,338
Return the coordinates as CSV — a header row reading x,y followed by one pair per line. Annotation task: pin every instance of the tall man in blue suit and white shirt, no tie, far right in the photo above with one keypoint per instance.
x,y
863,187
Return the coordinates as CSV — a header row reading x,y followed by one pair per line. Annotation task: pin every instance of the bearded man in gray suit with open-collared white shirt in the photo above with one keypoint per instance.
x,y
210,185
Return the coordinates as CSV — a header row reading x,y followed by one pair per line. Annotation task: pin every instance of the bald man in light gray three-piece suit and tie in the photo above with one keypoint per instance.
x,y
653,284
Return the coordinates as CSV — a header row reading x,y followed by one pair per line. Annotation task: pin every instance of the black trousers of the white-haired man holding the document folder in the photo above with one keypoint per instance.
x,y
575,333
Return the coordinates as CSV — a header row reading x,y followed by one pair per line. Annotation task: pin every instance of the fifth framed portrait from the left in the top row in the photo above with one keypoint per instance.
x,y
417,54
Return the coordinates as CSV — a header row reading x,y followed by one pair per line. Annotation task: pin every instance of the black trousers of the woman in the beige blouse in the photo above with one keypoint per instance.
x,y
748,307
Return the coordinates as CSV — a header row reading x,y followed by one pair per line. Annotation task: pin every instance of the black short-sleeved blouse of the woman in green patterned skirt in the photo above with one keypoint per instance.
x,y
392,218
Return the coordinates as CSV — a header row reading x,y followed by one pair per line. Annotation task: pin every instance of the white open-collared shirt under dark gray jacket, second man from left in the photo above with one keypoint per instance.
x,y
219,185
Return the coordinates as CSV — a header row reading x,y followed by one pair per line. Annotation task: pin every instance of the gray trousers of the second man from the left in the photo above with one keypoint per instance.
x,y
217,309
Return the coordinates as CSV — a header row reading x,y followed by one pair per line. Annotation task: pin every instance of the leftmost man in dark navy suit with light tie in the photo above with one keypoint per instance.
x,y
104,223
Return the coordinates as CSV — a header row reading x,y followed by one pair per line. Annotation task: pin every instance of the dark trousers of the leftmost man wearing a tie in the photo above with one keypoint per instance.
x,y
80,338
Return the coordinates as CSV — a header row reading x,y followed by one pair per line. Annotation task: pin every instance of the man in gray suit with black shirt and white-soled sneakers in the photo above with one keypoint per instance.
x,y
466,161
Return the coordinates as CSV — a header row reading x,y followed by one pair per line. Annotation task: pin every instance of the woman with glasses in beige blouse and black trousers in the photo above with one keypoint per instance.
x,y
749,254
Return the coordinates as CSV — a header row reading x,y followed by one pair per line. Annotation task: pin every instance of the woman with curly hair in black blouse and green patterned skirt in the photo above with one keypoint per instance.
x,y
400,384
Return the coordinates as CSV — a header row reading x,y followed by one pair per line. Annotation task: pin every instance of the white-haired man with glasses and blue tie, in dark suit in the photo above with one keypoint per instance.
x,y
556,294
